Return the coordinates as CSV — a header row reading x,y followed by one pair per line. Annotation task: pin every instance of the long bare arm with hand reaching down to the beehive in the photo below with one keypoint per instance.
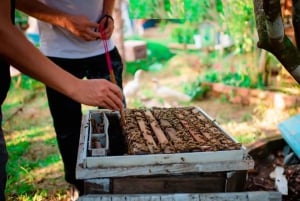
x,y
18,51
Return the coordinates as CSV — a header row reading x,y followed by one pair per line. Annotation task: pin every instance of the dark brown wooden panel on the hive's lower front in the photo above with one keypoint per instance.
x,y
169,184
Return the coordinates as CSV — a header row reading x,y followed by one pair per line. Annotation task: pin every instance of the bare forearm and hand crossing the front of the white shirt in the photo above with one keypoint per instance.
x,y
80,26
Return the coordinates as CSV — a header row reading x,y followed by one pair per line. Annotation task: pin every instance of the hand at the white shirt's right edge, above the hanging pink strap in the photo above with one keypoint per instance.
x,y
106,26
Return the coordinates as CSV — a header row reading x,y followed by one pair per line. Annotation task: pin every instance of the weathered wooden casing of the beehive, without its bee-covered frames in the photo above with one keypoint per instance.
x,y
186,172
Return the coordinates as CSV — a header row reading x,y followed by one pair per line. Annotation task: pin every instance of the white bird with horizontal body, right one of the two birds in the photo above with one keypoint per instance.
x,y
170,95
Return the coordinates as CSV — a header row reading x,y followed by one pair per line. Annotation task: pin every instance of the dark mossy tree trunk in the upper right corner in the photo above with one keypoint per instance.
x,y
272,38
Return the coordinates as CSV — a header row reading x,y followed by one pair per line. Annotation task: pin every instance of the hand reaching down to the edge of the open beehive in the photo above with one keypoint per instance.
x,y
98,92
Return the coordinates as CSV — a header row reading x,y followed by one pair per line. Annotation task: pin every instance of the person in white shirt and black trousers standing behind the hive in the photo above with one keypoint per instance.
x,y
76,43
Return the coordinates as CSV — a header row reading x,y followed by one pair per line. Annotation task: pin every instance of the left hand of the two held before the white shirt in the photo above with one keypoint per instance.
x,y
81,27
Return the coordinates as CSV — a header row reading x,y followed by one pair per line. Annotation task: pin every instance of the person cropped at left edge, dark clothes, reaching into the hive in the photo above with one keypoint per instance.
x,y
16,50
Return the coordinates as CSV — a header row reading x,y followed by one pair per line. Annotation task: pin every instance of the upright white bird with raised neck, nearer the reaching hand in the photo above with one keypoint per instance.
x,y
132,87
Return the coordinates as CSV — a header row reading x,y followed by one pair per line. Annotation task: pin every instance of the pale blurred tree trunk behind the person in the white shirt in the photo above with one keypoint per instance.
x,y
118,35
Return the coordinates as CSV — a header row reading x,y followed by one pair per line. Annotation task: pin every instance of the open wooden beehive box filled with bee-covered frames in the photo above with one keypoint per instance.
x,y
162,150
